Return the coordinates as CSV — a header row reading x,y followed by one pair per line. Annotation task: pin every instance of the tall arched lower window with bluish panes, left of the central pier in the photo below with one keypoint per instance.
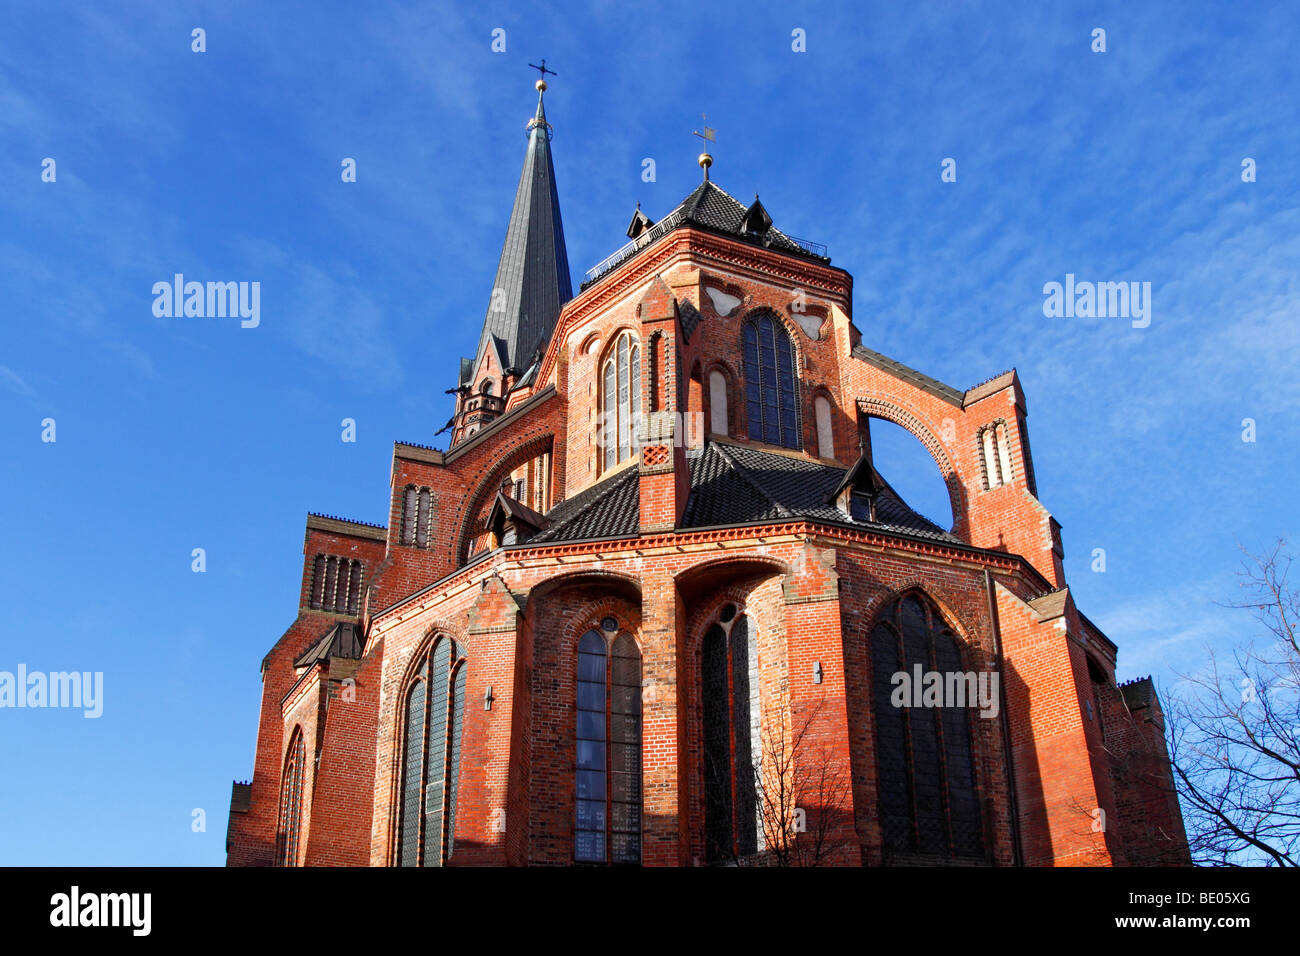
x,y
608,793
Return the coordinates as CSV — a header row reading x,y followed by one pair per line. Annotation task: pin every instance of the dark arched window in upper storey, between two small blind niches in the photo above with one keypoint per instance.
x,y
772,383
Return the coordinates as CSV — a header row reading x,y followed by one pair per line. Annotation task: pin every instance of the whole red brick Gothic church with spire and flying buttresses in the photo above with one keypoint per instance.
x,y
656,605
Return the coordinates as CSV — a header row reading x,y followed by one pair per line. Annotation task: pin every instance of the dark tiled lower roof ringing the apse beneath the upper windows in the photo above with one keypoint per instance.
x,y
733,486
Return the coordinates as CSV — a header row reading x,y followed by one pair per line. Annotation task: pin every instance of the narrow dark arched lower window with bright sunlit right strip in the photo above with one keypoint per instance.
x,y
731,738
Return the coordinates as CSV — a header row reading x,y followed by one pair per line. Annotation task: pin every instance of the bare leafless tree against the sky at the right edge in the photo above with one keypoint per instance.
x,y
1236,734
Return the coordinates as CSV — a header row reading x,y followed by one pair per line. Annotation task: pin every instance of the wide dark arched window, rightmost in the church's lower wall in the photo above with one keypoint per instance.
x,y
925,756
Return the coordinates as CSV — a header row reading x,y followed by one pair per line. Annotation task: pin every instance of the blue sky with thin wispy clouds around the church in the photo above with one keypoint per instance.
x,y
177,434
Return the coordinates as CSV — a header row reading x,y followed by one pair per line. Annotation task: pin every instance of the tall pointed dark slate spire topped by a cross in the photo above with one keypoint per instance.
x,y
532,278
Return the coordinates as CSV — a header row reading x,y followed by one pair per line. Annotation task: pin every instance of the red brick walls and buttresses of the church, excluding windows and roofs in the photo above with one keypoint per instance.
x,y
1065,746
